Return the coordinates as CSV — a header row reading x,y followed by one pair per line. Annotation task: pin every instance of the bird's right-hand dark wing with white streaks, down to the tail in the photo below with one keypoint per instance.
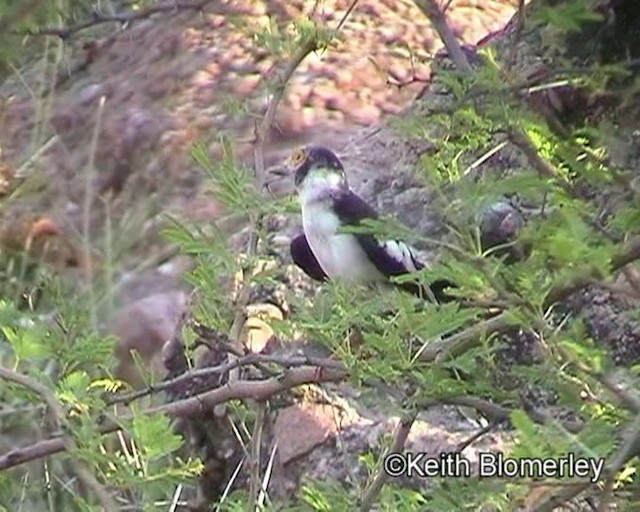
x,y
391,257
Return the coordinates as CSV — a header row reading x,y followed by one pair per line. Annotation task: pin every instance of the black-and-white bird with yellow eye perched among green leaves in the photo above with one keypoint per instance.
x,y
324,251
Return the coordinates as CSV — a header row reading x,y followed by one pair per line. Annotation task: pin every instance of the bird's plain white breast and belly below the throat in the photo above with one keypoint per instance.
x,y
339,254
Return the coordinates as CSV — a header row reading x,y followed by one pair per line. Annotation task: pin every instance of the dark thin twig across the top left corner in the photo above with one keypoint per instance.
x,y
99,18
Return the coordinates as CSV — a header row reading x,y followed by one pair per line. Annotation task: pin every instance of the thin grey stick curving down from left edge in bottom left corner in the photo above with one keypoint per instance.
x,y
67,443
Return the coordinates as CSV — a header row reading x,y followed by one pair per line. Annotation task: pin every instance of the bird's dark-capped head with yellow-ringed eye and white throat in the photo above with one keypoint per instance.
x,y
317,171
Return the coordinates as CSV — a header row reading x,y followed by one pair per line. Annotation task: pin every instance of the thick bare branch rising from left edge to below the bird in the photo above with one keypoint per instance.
x,y
237,390
